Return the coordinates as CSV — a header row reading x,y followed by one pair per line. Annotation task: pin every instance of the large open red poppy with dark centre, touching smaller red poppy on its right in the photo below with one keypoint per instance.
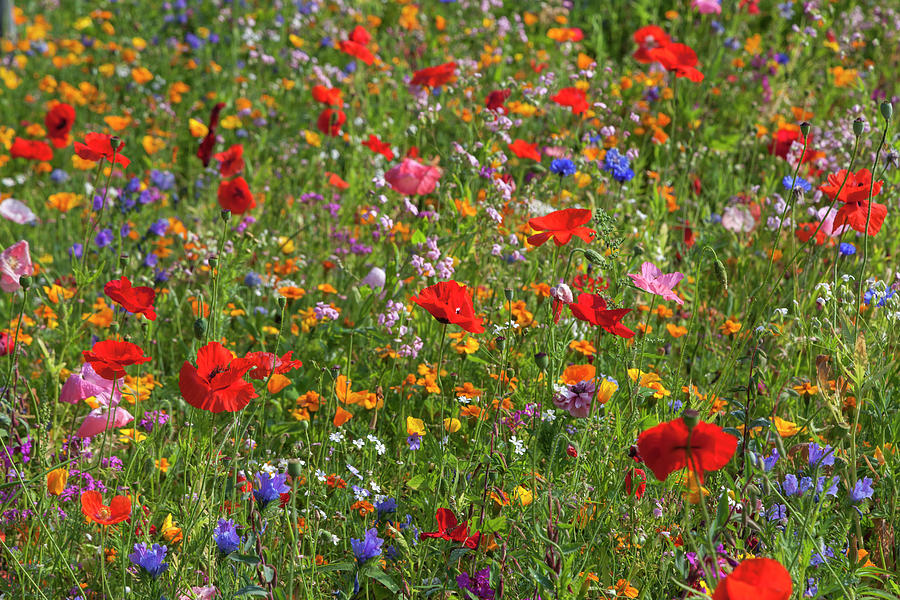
x,y
217,382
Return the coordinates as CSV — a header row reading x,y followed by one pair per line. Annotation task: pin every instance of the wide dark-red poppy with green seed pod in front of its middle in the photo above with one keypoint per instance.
x,y
664,448
